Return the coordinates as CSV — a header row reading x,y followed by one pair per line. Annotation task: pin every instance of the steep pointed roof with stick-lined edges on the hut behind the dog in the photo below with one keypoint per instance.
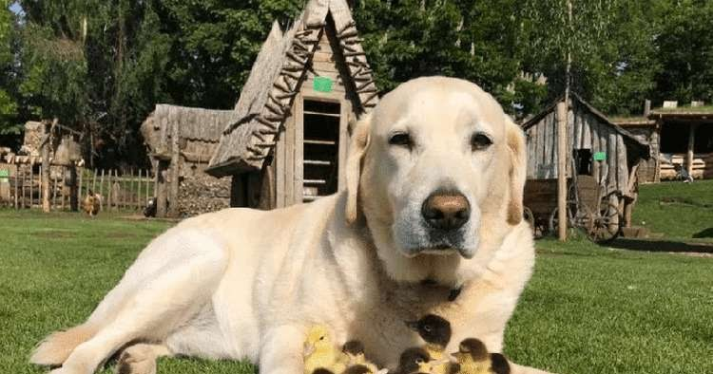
x,y
267,97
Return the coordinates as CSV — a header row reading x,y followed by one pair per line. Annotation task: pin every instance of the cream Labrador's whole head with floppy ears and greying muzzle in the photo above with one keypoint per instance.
x,y
438,170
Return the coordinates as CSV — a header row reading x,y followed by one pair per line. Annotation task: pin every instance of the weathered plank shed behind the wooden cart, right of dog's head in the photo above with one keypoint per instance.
x,y
597,148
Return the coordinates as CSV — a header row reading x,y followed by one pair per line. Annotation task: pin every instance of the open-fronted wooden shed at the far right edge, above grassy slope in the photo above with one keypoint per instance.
x,y
686,141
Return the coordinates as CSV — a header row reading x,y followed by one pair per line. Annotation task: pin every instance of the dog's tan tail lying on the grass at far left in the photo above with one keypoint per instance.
x,y
55,349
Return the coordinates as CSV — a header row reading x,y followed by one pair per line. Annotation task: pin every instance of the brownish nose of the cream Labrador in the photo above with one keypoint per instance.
x,y
446,210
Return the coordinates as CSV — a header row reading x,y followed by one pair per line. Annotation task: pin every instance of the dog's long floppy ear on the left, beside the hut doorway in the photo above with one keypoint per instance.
x,y
358,144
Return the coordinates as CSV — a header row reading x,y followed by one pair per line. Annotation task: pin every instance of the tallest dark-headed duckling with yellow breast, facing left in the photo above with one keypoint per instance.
x,y
436,332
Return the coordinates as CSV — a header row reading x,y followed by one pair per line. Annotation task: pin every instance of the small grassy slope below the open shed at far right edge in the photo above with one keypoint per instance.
x,y
680,211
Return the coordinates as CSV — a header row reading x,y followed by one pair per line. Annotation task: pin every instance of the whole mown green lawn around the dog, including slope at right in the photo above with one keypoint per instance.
x,y
588,309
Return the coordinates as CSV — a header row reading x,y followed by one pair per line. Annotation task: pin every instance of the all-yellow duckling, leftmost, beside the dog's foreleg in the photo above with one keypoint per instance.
x,y
319,351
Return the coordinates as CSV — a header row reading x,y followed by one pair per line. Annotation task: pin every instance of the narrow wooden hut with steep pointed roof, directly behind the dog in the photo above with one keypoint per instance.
x,y
288,143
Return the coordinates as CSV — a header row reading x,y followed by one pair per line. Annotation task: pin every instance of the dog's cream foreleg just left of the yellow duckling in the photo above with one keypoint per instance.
x,y
281,351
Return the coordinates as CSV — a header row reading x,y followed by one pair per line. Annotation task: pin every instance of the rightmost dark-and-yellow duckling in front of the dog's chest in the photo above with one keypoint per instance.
x,y
473,358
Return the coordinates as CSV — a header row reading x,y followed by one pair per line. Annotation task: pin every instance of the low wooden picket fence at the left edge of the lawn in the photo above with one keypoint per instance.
x,y
69,186
